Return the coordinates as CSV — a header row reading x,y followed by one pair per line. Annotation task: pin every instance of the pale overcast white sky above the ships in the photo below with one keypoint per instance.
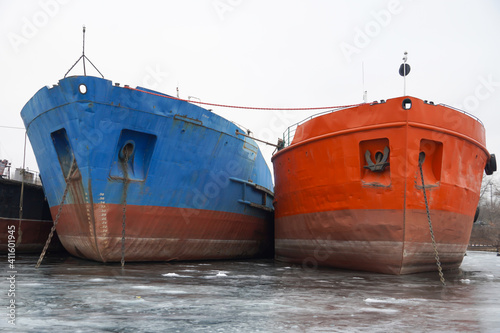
x,y
268,53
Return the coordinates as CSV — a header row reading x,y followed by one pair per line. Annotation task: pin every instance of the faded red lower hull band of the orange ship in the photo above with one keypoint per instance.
x,y
381,241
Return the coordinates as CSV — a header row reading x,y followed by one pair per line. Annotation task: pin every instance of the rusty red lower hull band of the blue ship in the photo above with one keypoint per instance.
x,y
162,234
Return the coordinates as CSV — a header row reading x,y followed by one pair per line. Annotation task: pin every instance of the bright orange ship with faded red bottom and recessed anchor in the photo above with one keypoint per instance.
x,y
349,190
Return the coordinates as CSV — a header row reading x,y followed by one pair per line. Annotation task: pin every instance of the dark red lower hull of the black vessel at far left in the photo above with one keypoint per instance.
x,y
34,234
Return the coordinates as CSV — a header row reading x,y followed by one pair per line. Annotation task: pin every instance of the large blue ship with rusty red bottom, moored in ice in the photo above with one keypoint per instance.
x,y
137,175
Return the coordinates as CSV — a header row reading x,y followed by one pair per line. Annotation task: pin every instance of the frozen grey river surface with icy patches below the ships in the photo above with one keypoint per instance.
x,y
72,295
